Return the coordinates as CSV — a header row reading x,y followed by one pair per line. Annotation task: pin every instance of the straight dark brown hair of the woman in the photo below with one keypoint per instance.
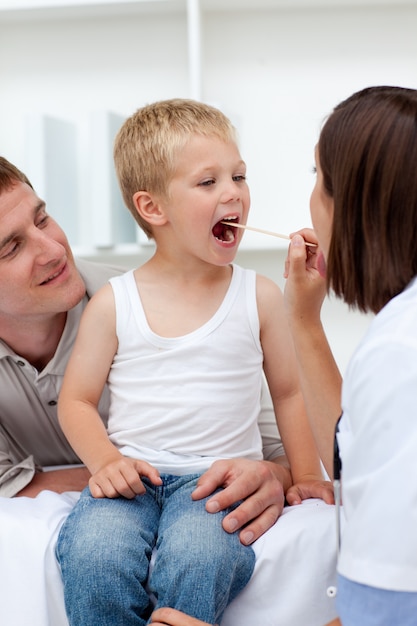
x,y
368,155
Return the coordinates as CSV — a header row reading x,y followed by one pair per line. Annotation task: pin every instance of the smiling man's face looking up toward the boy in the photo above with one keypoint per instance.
x,y
38,277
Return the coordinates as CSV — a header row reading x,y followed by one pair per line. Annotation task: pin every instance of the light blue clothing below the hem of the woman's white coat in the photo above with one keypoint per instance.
x,y
360,605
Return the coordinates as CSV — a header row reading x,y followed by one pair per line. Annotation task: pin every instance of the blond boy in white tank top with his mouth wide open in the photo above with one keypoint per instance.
x,y
181,341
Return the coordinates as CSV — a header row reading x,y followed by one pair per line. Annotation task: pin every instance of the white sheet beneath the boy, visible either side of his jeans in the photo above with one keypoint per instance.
x,y
296,563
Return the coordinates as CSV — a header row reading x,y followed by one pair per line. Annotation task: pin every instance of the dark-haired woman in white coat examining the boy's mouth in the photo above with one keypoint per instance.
x,y
364,213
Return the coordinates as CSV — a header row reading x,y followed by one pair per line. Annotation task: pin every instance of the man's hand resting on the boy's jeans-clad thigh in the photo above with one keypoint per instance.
x,y
260,484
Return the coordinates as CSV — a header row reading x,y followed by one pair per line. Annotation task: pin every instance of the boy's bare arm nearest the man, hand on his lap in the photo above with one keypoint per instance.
x,y
84,380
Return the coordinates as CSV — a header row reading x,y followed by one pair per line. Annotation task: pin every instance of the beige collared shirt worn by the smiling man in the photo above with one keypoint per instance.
x,y
30,436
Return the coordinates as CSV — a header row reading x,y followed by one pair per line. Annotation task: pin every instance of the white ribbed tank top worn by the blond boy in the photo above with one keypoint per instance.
x,y
180,403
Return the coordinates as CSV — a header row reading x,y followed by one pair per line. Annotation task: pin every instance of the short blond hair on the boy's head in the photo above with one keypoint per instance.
x,y
148,142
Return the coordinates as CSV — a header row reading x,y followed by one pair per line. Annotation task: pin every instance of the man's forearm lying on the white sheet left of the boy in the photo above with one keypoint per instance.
x,y
71,479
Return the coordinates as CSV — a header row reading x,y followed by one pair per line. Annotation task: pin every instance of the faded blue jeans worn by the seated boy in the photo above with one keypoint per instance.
x,y
105,545
